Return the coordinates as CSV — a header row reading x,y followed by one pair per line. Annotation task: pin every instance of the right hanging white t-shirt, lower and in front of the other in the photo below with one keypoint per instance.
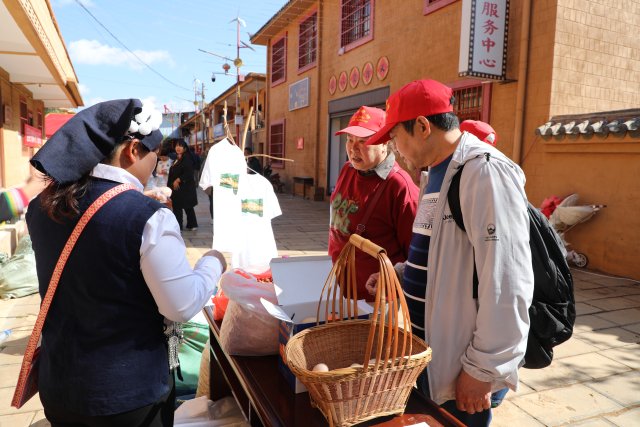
x,y
259,205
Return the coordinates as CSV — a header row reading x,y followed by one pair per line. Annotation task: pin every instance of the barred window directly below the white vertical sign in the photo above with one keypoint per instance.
x,y
472,100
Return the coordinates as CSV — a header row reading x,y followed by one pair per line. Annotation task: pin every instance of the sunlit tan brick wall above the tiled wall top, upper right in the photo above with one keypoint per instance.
x,y
597,56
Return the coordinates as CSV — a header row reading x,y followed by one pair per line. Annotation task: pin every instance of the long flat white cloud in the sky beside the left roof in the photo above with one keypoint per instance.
x,y
92,52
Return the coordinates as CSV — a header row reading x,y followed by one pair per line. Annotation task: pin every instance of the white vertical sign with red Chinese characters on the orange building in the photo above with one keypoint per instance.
x,y
483,40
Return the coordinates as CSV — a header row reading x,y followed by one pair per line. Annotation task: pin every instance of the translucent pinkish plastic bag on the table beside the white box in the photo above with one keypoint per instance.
x,y
248,329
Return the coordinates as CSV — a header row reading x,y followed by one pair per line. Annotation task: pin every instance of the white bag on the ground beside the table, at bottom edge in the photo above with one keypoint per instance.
x,y
202,412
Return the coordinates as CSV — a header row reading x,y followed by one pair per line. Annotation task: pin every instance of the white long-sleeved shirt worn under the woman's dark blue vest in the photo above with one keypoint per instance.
x,y
179,291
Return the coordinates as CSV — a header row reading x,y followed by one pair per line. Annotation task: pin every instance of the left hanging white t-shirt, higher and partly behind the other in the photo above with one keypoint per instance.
x,y
222,170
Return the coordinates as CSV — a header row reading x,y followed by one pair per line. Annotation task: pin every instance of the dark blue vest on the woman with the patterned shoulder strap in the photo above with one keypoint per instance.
x,y
103,347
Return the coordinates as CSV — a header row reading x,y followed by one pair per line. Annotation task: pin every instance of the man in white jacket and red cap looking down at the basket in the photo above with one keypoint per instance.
x,y
478,342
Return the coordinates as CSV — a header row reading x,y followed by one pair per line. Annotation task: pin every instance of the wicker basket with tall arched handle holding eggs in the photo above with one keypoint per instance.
x,y
391,357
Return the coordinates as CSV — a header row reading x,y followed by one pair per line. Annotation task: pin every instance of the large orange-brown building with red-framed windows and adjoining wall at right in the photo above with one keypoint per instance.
x,y
561,60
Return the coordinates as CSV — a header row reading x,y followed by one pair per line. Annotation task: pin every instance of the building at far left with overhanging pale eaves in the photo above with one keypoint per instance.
x,y
35,73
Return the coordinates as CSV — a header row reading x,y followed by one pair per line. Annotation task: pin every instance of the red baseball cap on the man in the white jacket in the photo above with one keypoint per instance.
x,y
418,98
